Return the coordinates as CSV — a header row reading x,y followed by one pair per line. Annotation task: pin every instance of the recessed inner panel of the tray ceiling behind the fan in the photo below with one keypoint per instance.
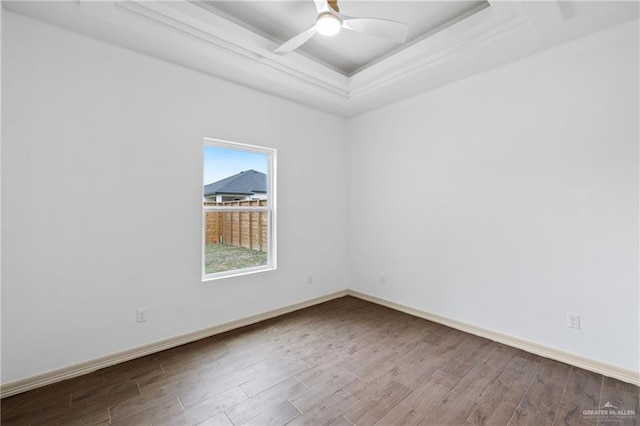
x,y
347,52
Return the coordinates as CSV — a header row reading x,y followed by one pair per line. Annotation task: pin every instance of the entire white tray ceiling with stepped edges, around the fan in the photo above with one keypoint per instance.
x,y
347,74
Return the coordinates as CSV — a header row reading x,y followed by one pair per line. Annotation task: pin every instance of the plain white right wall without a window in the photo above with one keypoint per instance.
x,y
510,198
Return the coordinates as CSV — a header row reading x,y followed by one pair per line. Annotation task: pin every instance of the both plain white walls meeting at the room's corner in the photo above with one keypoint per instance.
x,y
504,200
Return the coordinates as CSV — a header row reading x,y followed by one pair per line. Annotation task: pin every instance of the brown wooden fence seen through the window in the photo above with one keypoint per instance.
x,y
243,229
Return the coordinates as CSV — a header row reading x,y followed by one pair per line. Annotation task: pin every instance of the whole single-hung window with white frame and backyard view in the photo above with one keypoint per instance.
x,y
238,209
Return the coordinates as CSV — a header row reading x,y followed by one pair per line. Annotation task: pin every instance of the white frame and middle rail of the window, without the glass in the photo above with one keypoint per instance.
x,y
270,208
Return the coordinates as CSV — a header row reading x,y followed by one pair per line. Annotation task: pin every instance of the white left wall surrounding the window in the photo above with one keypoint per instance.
x,y
86,121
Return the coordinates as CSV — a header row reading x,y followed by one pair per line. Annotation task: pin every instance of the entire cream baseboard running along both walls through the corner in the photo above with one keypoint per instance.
x,y
49,377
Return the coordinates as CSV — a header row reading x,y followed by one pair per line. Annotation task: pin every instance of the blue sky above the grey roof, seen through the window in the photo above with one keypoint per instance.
x,y
220,163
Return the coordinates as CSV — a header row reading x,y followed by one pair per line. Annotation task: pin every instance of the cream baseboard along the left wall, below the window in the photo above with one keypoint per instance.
x,y
49,377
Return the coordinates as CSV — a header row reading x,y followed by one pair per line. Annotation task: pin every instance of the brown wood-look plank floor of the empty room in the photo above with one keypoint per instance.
x,y
343,362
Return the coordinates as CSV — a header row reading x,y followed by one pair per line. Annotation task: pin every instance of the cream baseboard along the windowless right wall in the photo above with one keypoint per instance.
x,y
599,367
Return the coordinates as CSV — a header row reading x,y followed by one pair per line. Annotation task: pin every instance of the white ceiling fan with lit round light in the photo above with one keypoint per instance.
x,y
330,21
